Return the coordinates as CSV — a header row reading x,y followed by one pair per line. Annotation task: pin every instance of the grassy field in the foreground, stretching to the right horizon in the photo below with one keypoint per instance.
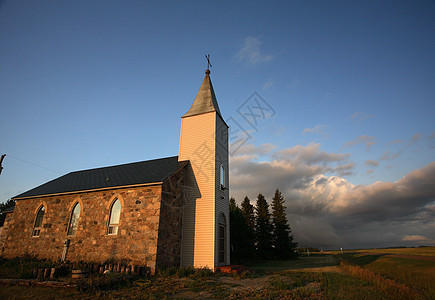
x,y
362,274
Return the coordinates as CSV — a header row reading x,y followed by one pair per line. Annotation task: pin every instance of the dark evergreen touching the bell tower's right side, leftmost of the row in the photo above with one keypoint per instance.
x,y
239,234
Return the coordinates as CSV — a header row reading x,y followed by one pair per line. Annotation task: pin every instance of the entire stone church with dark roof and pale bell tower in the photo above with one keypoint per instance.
x,y
158,213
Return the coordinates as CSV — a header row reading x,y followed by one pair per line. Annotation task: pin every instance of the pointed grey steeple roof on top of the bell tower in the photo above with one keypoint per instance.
x,y
205,100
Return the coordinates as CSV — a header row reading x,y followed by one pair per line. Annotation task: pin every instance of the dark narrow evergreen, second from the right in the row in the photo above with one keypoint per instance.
x,y
263,228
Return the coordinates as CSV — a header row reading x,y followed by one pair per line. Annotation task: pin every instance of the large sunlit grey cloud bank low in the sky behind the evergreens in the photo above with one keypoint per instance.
x,y
329,211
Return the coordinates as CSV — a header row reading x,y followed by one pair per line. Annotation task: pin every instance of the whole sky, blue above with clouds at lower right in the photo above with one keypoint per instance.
x,y
86,84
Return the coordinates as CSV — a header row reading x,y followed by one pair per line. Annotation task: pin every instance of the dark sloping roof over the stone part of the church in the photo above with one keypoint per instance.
x,y
150,171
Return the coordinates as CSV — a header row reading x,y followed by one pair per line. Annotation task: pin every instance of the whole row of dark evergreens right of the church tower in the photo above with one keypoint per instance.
x,y
256,233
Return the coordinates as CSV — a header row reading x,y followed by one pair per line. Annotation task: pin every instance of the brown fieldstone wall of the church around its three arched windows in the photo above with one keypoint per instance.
x,y
137,238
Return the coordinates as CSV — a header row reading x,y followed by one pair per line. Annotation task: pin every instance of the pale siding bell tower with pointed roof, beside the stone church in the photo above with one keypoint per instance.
x,y
204,142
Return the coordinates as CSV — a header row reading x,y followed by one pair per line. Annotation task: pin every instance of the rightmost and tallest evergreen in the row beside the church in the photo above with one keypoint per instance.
x,y
282,240
